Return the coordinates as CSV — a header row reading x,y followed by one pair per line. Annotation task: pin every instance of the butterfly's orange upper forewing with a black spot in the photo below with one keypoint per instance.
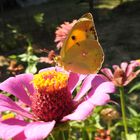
x,y
81,30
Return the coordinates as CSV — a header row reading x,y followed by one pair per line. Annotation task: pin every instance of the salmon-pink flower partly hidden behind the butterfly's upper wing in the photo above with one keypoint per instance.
x,y
62,32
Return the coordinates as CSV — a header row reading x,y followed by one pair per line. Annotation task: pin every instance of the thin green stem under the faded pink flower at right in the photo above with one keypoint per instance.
x,y
123,110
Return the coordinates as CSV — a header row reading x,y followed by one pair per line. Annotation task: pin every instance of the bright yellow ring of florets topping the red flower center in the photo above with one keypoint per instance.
x,y
49,81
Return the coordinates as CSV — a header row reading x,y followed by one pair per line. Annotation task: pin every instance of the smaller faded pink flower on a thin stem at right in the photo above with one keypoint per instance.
x,y
122,74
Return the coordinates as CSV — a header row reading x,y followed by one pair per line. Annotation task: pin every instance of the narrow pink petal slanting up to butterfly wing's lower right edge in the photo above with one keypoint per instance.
x,y
86,85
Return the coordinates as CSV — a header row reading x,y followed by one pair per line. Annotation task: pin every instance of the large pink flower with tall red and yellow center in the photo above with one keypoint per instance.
x,y
49,95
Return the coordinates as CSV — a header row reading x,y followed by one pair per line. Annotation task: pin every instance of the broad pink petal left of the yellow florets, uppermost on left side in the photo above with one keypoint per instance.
x,y
19,86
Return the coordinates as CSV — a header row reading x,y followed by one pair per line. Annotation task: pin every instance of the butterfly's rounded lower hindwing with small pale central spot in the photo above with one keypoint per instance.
x,y
84,59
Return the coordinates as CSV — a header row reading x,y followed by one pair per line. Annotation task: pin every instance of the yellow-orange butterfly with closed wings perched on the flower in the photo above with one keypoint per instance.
x,y
81,51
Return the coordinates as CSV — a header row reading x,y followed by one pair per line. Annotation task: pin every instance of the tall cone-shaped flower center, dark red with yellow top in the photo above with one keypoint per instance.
x,y
52,99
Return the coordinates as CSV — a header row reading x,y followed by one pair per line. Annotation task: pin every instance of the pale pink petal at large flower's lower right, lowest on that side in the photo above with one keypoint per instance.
x,y
81,112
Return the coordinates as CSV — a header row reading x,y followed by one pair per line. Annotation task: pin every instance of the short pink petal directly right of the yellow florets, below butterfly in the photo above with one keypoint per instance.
x,y
75,80
